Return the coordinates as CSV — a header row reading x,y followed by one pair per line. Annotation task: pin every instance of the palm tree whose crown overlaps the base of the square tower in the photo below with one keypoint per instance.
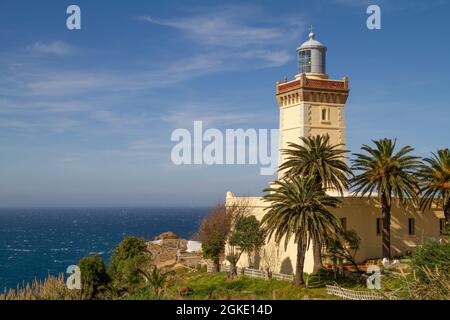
x,y
316,157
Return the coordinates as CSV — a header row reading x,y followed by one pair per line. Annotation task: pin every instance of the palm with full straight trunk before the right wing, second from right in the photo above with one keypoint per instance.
x,y
390,174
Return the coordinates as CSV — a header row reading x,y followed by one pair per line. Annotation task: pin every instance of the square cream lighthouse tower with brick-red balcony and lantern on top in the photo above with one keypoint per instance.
x,y
311,104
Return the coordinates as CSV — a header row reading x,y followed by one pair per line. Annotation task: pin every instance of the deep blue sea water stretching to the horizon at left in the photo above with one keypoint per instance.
x,y
38,242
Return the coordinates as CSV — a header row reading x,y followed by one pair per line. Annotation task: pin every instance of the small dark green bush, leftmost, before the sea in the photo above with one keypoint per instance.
x,y
93,275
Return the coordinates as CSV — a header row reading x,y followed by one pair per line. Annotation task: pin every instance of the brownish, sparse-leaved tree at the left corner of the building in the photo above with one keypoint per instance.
x,y
215,229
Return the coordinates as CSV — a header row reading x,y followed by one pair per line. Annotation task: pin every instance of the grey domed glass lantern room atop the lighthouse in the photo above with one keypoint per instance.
x,y
312,57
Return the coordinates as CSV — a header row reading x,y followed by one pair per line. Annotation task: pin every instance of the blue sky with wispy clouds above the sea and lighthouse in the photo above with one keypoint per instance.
x,y
86,116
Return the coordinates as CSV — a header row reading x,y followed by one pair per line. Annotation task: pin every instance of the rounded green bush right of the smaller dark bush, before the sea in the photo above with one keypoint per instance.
x,y
129,256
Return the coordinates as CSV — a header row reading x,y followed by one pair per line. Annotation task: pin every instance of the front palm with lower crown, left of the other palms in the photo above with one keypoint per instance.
x,y
298,208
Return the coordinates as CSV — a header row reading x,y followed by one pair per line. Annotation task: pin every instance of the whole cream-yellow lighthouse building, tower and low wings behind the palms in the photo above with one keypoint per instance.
x,y
312,104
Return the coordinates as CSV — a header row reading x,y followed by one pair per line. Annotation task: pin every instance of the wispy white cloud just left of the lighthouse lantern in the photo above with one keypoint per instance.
x,y
237,35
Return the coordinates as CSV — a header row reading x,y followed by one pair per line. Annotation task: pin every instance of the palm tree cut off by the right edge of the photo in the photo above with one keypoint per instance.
x,y
436,181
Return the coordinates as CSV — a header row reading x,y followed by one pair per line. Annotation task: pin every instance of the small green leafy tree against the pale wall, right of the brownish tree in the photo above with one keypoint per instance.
x,y
246,237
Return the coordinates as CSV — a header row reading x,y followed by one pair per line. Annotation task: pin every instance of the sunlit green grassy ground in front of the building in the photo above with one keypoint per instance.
x,y
215,286
